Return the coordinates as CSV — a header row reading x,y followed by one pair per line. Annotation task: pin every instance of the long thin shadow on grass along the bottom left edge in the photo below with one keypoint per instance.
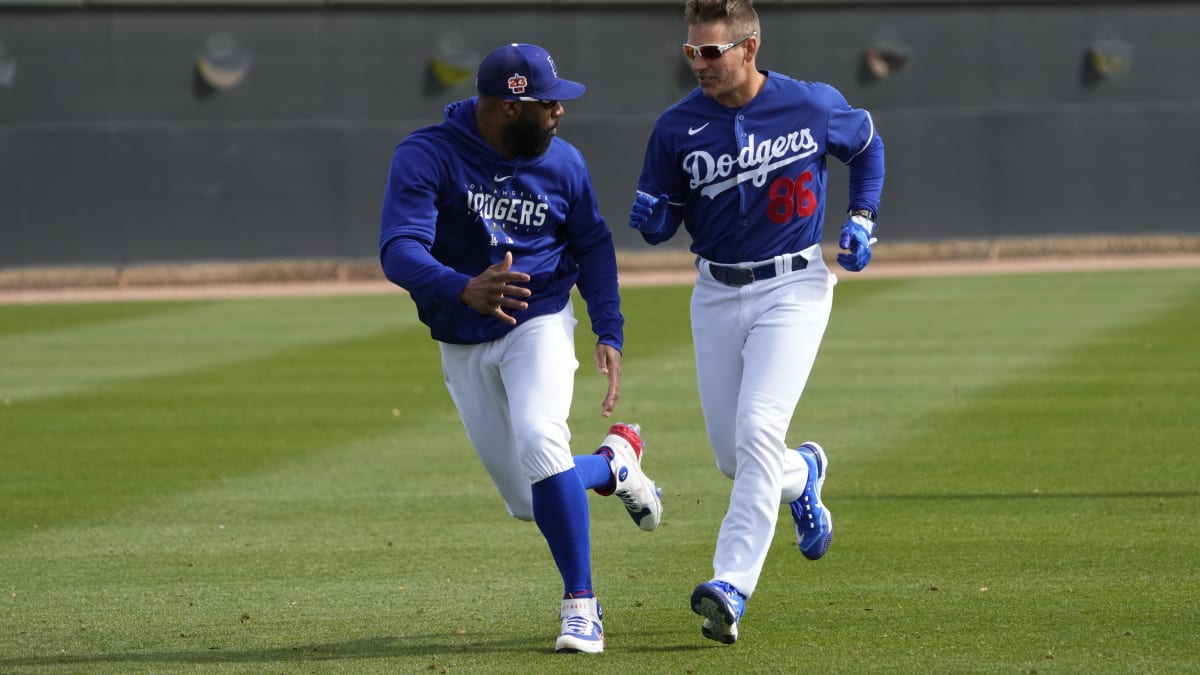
x,y
413,647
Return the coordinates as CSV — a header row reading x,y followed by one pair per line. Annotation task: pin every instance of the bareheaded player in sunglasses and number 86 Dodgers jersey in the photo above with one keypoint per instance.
x,y
741,163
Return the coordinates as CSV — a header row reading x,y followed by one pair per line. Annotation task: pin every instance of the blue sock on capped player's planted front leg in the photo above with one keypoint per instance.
x,y
561,511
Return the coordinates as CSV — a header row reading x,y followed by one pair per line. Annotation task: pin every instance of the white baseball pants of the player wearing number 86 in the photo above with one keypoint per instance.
x,y
755,349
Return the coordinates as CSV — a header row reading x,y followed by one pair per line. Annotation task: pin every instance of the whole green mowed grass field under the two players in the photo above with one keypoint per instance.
x,y
283,486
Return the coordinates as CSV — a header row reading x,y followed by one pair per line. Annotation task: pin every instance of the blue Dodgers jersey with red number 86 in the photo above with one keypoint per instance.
x,y
749,183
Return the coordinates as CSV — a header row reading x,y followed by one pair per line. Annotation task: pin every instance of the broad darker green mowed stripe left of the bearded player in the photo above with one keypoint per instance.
x,y
86,456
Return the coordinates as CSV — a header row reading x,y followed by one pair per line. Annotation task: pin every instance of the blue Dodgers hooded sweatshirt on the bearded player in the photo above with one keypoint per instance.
x,y
454,206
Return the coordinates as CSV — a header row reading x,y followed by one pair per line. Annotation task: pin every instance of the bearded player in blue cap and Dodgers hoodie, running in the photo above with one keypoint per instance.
x,y
489,222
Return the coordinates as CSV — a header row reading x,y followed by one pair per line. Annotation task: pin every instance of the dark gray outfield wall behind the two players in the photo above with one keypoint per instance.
x,y
110,154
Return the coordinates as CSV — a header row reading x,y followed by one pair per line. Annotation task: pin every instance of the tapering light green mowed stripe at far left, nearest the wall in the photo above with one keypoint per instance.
x,y
50,350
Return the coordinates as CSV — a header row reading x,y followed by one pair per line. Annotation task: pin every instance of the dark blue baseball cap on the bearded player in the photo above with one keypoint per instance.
x,y
524,73
